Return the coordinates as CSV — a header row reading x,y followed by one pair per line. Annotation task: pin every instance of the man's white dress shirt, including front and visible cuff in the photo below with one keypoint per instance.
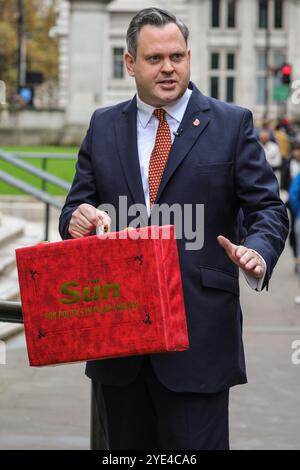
x,y
147,126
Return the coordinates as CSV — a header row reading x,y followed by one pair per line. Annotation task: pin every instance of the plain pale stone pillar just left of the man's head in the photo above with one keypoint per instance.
x,y
88,39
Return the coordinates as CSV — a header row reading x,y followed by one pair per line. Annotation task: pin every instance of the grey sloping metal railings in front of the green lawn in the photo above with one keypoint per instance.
x,y
46,177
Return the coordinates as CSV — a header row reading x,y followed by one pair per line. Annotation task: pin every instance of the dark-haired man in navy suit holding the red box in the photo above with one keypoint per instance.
x,y
180,400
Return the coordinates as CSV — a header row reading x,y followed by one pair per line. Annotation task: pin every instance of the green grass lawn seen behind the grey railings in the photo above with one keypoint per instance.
x,y
65,169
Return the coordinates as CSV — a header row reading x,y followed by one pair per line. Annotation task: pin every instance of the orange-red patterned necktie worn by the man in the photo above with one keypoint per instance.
x,y
160,153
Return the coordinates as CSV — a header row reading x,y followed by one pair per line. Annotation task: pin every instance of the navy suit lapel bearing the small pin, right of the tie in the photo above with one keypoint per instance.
x,y
194,122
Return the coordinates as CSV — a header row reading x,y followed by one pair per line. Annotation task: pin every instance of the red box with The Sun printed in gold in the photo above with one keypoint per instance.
x,y
113,295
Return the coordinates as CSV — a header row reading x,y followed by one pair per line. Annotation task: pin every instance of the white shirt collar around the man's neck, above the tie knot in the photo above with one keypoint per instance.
x,y
175,110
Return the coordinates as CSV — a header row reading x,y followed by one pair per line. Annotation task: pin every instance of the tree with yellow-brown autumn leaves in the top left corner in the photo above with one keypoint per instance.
x,y
41,49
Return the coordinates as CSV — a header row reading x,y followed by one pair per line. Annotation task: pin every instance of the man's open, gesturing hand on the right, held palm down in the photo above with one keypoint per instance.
x,y
243,257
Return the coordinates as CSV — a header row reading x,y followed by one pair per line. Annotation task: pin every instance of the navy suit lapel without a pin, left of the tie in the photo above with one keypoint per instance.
x,y
126,132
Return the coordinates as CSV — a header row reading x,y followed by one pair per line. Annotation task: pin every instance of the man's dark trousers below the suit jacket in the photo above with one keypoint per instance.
x,y
146,415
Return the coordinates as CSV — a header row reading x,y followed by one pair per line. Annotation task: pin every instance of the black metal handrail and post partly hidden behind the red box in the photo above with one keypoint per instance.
x,y
11,312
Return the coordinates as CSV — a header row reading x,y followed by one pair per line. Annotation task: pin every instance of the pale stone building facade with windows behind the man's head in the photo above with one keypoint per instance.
x,y
232,42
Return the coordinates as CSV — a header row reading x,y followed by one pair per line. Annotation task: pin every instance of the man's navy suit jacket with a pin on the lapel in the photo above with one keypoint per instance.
x,y
220,164
